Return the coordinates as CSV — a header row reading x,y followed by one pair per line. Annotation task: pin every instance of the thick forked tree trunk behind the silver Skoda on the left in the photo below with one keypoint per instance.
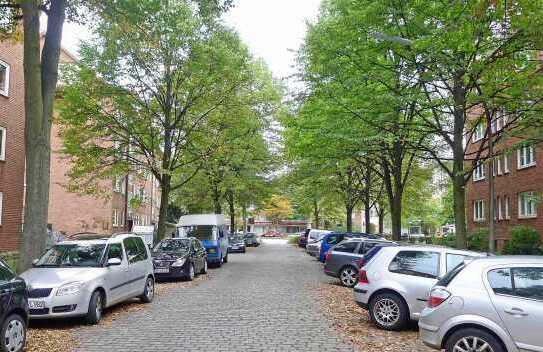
x,y
40,84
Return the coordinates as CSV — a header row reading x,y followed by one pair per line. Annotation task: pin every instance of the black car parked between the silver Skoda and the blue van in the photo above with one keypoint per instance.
x,y
176,258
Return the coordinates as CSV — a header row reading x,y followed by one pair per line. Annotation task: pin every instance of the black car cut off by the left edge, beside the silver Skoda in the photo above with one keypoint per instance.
x,y
13,310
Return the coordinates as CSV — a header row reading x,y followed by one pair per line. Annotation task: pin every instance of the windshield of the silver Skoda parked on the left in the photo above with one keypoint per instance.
x,y
80,255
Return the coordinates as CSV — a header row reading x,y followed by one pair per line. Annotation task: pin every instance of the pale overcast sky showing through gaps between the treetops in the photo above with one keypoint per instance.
x,y
270,27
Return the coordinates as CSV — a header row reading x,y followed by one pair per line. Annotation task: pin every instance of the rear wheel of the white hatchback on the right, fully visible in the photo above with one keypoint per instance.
x,y
388,311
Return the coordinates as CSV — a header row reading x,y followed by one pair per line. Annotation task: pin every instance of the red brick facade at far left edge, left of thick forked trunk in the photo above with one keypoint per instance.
x,y
13,166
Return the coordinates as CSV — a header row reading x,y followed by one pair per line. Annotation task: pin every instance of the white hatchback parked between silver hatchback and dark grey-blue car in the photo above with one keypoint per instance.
x,y
395,285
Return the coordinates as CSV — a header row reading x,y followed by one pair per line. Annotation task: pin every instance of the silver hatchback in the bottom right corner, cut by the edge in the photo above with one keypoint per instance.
x,y
489,305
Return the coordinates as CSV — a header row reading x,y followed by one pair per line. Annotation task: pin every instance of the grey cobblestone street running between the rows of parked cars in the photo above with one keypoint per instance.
x,y
264,300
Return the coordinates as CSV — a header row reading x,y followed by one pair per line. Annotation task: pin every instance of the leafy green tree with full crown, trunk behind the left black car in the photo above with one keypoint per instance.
x,y
145,91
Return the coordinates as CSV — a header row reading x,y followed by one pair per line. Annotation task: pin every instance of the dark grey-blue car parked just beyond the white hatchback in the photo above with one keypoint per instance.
x,y
342,260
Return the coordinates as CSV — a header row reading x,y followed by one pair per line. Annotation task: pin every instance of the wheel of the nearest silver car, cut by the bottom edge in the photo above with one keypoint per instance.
x,y
473,339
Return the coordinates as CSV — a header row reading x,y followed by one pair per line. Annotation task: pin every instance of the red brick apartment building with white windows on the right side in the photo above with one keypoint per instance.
x,y
518,179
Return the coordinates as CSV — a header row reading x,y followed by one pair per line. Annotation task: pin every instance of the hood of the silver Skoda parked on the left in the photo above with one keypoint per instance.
x,y
55,277
